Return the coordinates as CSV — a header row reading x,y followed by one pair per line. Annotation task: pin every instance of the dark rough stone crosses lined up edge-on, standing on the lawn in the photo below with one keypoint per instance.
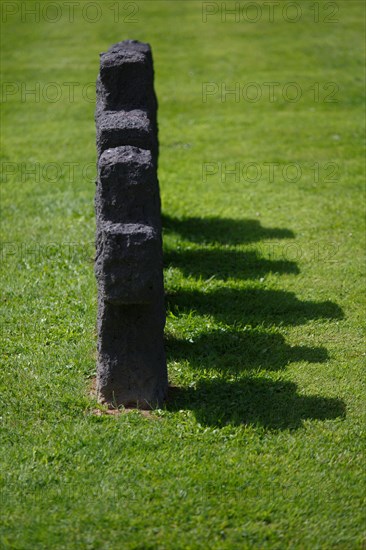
x,y
131,365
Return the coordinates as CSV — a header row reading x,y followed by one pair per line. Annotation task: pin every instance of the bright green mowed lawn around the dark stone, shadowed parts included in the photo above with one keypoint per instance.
x,y
261,444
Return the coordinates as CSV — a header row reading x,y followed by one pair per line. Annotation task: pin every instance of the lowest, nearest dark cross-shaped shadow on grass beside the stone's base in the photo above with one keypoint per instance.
x,y
258,402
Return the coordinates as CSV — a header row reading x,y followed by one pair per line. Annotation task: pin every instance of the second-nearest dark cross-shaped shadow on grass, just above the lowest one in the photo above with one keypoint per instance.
x,y
232,352
